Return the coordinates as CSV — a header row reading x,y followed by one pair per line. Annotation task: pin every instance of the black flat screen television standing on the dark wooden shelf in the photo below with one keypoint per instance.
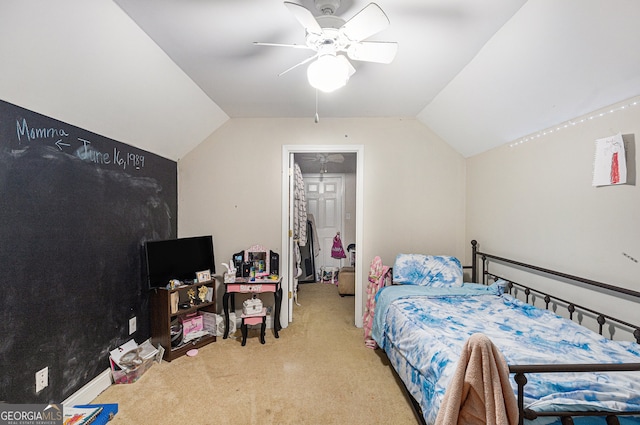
x,y
178,259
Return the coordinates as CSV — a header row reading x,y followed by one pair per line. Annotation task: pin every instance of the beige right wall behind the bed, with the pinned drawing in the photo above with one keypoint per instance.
x,y
535,203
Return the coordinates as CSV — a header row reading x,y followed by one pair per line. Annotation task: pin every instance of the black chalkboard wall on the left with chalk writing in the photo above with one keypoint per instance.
x,y
75,210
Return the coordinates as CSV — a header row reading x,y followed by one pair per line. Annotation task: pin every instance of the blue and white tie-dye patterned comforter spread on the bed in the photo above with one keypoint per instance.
x,y
423,329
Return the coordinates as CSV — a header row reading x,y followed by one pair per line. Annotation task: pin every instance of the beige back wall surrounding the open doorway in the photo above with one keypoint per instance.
x,y
230,185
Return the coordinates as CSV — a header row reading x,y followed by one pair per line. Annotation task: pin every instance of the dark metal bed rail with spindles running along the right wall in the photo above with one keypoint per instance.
x,y
548,299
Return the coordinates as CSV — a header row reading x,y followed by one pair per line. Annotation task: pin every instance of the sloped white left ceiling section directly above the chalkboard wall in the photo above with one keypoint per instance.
x,y
68,63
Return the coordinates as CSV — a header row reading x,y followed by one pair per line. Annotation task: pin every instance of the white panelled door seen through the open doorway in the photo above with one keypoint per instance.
x,y
325,198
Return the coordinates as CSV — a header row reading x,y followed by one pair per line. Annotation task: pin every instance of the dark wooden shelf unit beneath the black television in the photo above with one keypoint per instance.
x,y
161,318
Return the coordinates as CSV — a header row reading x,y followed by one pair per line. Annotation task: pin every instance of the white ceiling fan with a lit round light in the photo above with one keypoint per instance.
x,y
331,37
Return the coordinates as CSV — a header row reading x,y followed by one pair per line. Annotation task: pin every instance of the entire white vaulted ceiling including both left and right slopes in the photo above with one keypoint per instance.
x,y
479,73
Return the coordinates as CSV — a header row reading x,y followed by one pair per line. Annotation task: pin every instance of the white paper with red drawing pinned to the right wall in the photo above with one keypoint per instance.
x,y
609,166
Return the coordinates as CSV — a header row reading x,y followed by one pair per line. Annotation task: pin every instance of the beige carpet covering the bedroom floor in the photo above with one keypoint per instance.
x,y
318,372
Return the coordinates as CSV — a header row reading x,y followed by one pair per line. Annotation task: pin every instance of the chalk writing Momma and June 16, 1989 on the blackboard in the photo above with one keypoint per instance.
x,y
80,147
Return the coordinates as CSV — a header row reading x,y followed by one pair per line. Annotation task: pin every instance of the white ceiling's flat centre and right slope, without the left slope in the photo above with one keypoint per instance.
x,y
479,73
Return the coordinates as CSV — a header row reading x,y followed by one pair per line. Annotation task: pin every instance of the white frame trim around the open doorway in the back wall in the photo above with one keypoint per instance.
x,y
288,264
